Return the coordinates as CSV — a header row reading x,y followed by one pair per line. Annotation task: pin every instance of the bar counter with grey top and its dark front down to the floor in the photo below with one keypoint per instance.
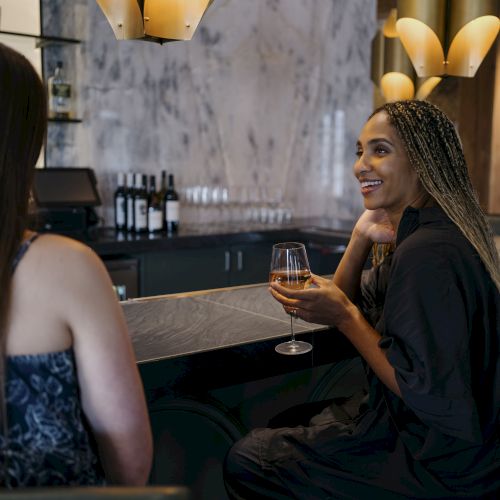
x,y
211,374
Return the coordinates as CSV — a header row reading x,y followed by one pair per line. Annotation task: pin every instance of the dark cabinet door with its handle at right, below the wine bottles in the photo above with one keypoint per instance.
x,y
183,270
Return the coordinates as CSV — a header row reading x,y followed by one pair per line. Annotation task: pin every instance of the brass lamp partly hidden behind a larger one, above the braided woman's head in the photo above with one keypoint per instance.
x,y
392,70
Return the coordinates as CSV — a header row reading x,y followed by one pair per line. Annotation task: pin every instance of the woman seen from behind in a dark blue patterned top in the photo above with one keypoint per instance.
x,y
72,407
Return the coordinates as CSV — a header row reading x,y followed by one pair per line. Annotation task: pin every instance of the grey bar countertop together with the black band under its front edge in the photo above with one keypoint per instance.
x,y
196,341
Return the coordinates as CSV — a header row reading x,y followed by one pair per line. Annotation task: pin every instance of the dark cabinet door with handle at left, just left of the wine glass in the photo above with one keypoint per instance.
x,y
250,263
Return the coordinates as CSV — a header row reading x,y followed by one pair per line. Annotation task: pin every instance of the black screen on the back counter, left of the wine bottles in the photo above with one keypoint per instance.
x,y
65,187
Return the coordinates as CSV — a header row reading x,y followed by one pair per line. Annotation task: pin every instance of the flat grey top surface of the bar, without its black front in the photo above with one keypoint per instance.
x,y
183,324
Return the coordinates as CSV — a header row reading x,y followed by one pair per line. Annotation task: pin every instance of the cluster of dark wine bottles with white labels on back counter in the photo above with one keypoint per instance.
x,y
141,207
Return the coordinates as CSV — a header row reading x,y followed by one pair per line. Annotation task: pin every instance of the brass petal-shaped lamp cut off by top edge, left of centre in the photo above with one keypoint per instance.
x,y
154,20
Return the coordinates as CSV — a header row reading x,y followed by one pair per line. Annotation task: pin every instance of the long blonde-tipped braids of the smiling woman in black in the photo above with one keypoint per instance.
x,y
435,152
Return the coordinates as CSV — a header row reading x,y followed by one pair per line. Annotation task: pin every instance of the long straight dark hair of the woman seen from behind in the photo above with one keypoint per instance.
x,y
23,123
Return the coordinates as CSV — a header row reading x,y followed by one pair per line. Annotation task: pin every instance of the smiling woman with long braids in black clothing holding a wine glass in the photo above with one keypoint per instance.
x,y
426,321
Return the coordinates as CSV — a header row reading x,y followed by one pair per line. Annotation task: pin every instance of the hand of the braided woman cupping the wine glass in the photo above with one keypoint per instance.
x,y
324,303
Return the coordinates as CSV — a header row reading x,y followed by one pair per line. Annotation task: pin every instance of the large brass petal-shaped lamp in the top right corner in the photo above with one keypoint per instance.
x,y
447,37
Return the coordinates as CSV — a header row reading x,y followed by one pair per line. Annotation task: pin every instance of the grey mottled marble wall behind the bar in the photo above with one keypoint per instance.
x,y
268,93
